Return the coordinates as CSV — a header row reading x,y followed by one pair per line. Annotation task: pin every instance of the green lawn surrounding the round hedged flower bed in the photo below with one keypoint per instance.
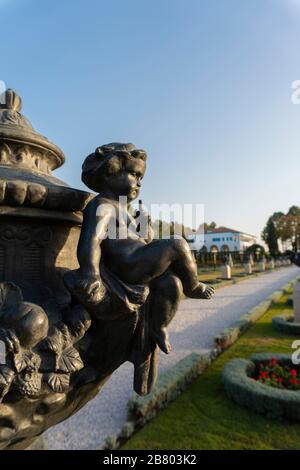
x,y
204,418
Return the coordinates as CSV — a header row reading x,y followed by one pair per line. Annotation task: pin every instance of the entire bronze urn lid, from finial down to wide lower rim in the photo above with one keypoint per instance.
x,y
27,159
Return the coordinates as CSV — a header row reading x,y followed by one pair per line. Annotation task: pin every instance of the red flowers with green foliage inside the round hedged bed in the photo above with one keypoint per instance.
x,y
276,375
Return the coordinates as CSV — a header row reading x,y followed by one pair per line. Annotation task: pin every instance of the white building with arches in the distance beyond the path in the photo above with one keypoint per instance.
x,y
220,239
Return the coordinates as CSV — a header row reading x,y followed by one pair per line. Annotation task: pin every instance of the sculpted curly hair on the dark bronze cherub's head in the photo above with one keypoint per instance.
x,y
107,160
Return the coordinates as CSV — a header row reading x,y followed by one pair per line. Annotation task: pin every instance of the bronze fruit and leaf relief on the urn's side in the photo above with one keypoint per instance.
x,y
28,370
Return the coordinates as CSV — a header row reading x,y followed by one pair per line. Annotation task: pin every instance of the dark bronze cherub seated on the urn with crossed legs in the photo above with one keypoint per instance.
x,y
137,265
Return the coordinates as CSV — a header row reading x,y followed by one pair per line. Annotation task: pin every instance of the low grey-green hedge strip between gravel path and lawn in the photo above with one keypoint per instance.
x,y
171,383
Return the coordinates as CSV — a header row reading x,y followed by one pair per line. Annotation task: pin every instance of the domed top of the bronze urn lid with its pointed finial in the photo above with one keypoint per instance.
x,y
15,127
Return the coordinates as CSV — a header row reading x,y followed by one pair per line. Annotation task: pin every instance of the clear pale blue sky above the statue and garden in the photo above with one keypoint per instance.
x,y
203,85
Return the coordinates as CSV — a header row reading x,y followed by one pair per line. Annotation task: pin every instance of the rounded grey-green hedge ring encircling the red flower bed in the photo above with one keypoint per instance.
x,y
258,397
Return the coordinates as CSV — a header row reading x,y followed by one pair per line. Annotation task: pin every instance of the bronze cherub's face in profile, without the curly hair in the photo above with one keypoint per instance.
x,y
127,182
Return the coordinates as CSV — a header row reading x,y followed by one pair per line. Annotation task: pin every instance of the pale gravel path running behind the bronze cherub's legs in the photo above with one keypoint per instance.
x,y
193,330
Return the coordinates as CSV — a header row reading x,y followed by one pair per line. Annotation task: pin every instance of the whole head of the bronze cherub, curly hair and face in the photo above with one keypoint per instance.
x,y
117,167
